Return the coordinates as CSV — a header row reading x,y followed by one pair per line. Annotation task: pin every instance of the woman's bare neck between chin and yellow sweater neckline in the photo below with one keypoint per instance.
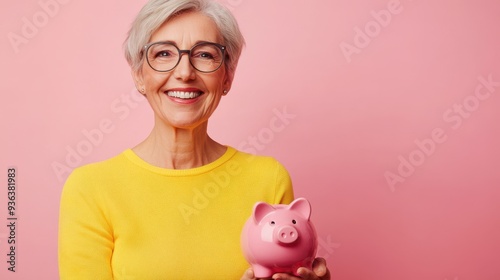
x,y
174,148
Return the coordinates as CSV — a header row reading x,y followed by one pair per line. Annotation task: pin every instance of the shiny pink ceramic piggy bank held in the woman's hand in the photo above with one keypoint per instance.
x,y
279,238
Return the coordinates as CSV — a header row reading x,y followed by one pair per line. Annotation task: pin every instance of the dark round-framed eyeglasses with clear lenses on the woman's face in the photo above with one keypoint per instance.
x,y
205,57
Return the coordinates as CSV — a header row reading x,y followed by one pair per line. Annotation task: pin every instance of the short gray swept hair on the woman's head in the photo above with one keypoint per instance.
x,y
157,12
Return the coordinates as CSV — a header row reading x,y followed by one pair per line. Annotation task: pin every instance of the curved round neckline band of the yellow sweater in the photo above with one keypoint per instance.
x,y
135,159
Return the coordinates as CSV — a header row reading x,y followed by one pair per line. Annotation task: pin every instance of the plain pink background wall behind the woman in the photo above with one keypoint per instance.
x,y
353,117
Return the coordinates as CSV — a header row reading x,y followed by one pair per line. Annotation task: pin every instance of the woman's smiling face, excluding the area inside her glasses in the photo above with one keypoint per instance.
x,y
184,97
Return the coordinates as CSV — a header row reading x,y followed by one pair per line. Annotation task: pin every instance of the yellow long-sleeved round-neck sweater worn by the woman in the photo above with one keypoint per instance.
x,y
125,219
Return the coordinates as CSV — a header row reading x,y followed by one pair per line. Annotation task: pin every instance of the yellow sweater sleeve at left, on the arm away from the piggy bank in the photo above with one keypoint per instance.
x,y
85,236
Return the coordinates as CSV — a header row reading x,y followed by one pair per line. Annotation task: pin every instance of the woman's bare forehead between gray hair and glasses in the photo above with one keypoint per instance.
x,y
188,28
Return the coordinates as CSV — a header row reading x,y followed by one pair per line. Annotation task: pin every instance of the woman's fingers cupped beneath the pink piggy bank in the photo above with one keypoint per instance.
x,y
319,272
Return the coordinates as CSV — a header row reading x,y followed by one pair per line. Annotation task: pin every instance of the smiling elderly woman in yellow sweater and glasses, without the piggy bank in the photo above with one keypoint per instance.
x,y
173,206
